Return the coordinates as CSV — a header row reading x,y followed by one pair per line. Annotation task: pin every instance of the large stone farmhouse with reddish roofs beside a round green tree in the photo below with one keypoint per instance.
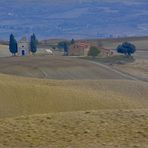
x,y
79,49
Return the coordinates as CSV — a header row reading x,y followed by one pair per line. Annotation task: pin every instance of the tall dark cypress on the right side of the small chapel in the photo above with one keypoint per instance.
x,y
33,44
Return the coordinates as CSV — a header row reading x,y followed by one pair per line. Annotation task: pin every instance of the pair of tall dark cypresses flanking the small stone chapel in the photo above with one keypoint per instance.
x,y
13,45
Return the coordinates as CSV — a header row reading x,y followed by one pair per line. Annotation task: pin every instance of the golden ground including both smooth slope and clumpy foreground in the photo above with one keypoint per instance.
x,y
73,113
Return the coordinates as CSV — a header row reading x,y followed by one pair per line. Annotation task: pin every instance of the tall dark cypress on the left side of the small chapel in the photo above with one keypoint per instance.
x,y
13,47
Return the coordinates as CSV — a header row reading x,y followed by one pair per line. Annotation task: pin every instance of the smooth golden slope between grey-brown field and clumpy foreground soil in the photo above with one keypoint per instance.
x,y
26,96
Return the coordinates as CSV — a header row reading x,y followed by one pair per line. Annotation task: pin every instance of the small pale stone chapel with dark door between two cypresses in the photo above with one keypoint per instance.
x,y
23,47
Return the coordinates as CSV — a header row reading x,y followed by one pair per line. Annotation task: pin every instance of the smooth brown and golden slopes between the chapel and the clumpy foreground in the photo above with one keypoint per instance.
x,y
59,84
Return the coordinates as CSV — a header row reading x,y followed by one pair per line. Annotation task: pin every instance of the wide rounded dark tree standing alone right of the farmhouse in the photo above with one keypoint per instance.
x,y
126,48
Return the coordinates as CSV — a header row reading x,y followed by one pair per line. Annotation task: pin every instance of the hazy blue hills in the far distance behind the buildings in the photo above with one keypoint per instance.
x,y
73,18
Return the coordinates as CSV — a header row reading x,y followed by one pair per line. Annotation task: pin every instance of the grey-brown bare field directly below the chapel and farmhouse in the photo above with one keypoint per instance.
x,y
56,67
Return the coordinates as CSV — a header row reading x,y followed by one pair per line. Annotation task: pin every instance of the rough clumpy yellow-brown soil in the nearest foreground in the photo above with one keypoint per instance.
x,y
89,129
